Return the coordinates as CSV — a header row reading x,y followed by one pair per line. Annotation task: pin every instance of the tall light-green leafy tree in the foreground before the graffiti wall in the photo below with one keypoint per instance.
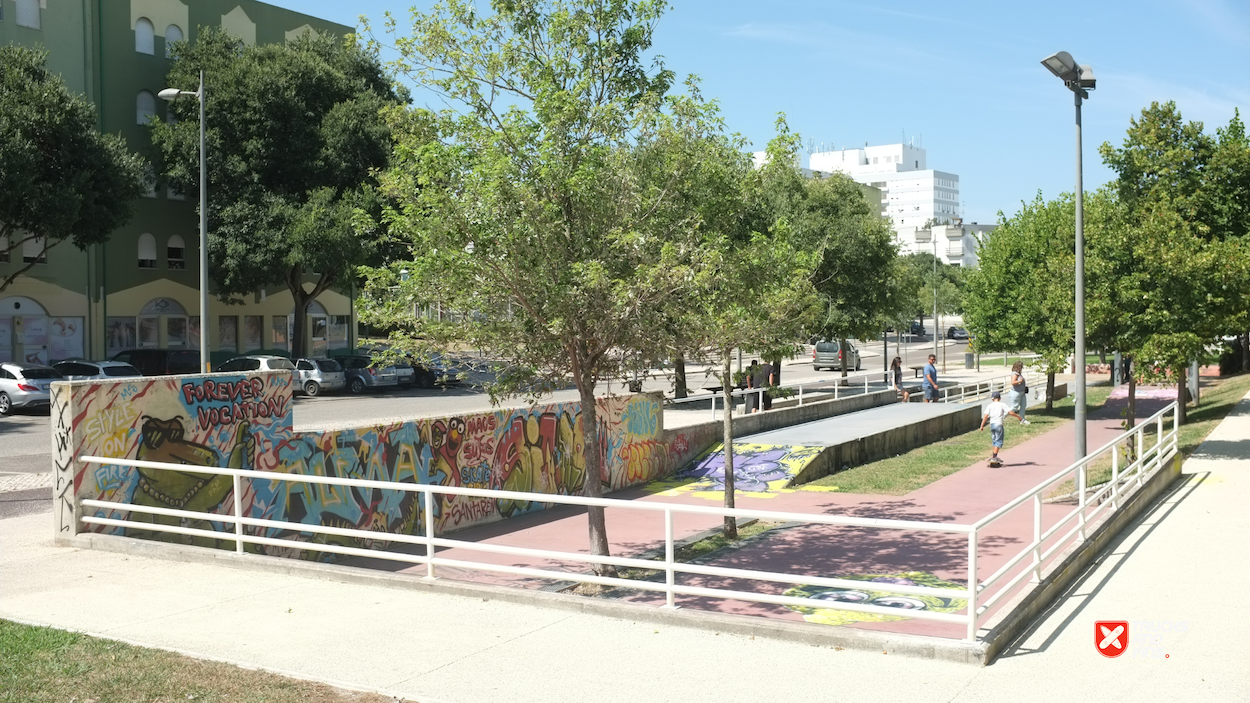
x,y
547,210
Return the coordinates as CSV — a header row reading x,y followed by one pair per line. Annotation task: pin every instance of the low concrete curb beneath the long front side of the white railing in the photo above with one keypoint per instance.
x,y
807,634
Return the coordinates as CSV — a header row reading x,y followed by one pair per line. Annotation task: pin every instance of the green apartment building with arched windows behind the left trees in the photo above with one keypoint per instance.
x,y
142,288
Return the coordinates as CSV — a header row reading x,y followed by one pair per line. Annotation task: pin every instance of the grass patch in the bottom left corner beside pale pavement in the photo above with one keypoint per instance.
x,y
44,665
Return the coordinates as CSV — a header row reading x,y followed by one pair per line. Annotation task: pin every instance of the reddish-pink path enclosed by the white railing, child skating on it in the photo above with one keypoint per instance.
x,y
827,551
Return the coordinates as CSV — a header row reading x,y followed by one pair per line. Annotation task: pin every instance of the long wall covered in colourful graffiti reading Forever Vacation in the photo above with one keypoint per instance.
x,y
246,422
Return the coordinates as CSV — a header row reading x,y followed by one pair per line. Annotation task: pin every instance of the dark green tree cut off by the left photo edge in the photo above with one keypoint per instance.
x,y
61,180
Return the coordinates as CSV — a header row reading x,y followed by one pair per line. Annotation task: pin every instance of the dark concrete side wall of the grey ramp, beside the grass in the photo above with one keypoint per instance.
x,y
889,443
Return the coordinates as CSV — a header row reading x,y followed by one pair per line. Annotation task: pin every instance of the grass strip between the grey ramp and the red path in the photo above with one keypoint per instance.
x,y
923,466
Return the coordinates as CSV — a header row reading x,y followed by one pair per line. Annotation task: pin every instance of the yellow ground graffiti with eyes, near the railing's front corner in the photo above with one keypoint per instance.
x,y
868,596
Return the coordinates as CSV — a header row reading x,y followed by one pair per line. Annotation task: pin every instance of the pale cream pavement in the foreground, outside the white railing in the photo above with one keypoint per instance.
x,y
1173,571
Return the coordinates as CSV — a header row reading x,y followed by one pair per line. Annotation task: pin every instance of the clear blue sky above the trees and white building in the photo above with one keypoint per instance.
x,y
963,79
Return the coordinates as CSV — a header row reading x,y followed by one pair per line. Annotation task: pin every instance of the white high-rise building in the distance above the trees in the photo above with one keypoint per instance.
x,y
912,196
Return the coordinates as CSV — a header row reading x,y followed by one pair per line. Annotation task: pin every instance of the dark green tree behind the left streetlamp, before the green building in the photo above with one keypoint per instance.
x,y
294,137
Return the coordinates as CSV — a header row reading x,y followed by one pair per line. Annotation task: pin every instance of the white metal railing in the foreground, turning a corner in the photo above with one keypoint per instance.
x,y
1092,503
